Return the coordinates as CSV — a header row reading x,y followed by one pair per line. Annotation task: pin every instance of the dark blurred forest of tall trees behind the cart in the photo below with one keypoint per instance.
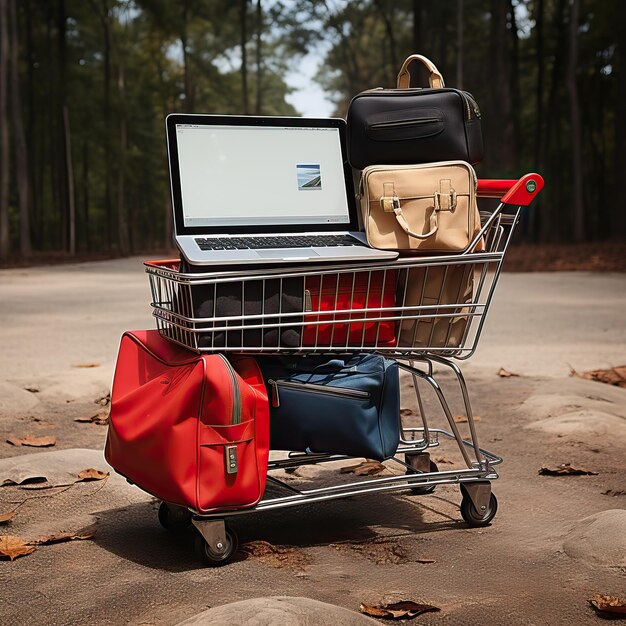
x,y
85,86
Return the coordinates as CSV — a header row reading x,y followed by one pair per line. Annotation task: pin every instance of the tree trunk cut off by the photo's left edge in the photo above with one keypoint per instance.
x,y
4,133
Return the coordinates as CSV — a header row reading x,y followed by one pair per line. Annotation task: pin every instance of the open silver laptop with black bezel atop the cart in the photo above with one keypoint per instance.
x,y
252,190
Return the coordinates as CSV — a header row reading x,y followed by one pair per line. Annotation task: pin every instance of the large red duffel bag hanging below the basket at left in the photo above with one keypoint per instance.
x,y
190,429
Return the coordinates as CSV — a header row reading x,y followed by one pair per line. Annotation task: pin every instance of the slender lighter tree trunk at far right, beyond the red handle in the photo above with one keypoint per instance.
x,y
572,90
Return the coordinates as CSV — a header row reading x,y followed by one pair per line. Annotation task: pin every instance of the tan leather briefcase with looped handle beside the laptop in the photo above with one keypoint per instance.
x,y
428,209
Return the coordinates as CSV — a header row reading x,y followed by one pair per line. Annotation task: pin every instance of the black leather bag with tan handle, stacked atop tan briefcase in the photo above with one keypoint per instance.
x,y
413,125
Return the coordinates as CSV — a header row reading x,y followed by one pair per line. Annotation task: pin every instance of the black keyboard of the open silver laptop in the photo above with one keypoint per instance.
x,y
286,241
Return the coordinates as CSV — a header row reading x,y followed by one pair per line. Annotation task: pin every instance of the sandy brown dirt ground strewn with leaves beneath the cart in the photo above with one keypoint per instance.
x,y
554,543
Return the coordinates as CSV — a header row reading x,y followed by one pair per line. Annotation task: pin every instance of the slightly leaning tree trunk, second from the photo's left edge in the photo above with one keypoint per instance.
x,y
21,153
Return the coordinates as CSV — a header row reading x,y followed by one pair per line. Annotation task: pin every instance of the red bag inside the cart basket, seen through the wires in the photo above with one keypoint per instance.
x,y
353,291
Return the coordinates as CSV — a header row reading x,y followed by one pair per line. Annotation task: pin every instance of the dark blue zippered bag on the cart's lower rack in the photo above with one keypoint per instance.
x,y
347,406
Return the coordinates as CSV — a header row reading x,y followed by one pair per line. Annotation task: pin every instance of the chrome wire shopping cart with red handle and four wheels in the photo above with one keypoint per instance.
x,y
433,326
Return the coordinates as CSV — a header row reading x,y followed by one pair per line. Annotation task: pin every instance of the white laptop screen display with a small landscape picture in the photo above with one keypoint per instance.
x,y
261,175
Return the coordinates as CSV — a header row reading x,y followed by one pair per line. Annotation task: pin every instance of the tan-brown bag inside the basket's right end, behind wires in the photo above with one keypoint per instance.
x,y
432,286
